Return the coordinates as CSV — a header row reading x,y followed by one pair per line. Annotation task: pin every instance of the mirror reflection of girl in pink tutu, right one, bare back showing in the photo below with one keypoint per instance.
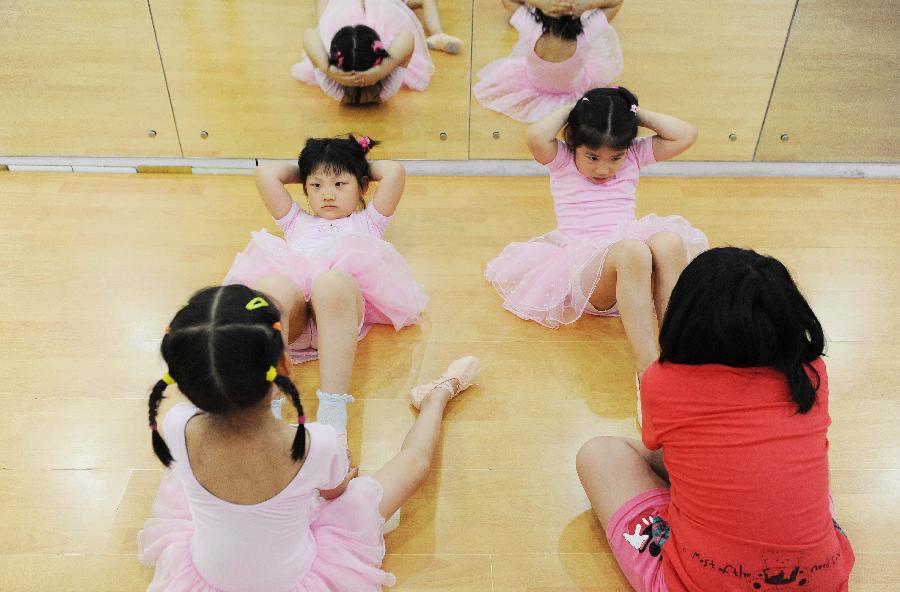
x,y
565,48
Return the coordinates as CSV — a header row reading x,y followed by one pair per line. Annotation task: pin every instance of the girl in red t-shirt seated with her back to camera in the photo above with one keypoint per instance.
x,y
738,403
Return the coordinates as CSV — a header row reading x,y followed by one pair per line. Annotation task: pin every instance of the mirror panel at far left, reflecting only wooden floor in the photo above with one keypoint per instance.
x,y
82,79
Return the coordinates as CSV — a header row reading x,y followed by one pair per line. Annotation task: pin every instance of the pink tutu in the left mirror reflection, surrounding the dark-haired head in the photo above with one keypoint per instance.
x,y
388,18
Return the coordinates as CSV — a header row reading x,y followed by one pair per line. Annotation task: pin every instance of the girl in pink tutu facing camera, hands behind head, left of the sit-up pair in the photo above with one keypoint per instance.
x,y
332,275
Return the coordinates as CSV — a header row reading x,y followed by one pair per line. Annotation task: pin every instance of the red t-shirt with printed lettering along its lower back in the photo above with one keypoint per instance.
x,y
750,508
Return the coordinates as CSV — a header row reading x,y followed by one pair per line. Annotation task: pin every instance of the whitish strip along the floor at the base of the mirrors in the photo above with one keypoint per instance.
x,y
465,168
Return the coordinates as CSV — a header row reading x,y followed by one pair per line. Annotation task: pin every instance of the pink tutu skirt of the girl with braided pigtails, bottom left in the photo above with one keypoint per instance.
x,y
347,532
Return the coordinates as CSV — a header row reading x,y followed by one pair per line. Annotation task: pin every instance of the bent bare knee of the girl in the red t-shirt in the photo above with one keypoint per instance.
x,y
613,470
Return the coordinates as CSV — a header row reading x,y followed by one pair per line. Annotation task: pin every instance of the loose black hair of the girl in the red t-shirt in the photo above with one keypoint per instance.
x,y
736,307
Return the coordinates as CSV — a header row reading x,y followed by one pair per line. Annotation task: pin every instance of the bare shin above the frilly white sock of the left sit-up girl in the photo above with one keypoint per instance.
x,y
338,308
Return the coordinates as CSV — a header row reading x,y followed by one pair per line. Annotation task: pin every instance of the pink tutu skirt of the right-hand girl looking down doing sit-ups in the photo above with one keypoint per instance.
x,y
550,278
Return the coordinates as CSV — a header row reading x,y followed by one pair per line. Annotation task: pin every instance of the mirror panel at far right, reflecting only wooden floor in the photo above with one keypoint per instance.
x,y
836,97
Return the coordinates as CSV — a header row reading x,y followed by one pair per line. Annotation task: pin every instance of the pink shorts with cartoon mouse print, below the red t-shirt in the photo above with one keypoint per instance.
x,y
636,535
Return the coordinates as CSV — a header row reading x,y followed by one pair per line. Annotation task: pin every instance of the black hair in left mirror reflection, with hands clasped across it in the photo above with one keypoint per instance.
x,y
356,49
